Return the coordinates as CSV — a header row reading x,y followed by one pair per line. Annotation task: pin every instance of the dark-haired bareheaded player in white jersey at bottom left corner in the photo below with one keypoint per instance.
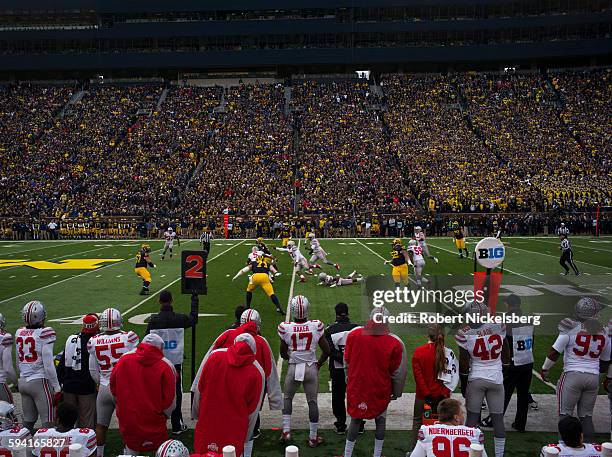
x,y
64,434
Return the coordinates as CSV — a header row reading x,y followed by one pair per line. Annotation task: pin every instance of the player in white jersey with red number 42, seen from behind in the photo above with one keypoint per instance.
x,y
483,349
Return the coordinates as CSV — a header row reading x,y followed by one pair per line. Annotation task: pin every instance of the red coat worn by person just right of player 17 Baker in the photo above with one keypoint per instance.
x,y
377,368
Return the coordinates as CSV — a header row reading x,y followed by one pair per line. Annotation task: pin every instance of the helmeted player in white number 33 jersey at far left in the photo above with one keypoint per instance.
x,y
38,382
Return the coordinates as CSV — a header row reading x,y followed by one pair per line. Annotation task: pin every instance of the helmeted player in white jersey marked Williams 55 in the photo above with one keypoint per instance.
x,y
105,350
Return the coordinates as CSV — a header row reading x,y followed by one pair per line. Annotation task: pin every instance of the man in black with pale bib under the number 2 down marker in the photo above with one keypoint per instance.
x,y
170,326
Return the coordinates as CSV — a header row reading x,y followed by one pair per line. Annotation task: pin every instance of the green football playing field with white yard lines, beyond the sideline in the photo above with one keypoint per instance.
x,y
68,294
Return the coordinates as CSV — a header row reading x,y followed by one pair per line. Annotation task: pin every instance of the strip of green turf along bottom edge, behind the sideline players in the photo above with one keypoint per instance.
x,y
397,443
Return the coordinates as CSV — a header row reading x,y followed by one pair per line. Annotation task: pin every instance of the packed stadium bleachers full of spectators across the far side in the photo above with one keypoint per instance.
x,y
459,143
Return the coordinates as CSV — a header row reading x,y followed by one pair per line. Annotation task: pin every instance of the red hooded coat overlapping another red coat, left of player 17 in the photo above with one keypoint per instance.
x,y
231,388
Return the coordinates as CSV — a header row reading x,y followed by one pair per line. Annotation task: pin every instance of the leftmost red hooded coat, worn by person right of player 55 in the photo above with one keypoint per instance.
x,y
144,385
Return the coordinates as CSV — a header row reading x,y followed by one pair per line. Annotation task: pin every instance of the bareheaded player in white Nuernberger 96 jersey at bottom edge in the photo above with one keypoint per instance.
x,y
448,437
